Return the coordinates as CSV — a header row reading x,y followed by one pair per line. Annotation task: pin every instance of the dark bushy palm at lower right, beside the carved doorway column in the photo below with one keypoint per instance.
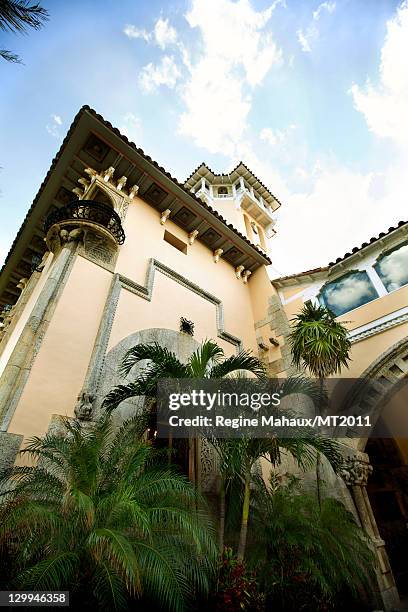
x,y
307,556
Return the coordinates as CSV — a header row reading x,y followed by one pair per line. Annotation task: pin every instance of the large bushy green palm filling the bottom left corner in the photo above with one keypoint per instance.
x,y
99,516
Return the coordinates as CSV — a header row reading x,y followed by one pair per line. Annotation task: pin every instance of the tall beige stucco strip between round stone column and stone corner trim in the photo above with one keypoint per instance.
x,y
59,369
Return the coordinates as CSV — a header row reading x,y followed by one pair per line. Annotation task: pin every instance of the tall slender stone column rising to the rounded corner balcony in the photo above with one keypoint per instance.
x,y
18,368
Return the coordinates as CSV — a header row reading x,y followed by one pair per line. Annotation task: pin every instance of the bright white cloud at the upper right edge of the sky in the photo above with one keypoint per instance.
x,y
385,106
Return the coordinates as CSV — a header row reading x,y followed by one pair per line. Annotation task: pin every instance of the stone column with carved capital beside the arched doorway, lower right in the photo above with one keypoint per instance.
x,y
356,471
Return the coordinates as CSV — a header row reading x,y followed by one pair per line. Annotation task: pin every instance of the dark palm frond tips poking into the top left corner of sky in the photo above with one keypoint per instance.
x,y
18,16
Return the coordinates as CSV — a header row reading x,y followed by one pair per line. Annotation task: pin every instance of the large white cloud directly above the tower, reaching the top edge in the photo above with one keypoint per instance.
x,y
237,52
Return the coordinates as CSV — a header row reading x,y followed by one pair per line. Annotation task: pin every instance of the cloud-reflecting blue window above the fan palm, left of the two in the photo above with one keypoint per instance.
x,y
347,292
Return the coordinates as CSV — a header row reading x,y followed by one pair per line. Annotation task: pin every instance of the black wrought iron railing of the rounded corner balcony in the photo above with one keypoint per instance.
x,y
88,210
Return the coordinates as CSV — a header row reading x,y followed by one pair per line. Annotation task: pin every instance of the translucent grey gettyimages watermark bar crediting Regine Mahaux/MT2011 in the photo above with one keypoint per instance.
x,y
294,407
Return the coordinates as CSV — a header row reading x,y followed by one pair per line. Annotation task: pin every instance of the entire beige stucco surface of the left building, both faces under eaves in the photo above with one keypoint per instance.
x,y
58,372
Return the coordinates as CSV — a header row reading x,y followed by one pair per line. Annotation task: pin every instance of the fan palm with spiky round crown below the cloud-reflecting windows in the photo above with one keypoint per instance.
x,y
321,345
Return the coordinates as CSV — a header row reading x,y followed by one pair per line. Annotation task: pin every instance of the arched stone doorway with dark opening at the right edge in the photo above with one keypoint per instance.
x,y
382,502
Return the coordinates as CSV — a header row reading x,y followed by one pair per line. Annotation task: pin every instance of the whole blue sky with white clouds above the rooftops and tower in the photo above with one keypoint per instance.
x,y
312,96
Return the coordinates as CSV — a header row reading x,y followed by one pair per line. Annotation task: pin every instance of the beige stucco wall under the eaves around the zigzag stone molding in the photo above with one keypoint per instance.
x,y
170,300
